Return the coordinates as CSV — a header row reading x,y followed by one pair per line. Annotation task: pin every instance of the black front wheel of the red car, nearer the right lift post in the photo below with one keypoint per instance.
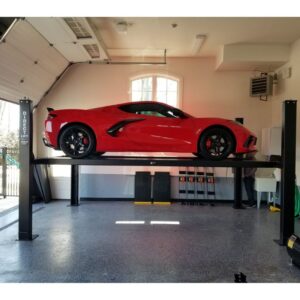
x,y
216,144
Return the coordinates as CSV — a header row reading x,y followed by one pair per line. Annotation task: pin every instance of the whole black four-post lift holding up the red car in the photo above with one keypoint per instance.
x,y
286,164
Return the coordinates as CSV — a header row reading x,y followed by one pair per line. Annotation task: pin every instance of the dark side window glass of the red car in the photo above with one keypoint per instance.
x,y
154,109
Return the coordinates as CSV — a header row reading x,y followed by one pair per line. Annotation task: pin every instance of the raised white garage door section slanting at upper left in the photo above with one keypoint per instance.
x,y
20,76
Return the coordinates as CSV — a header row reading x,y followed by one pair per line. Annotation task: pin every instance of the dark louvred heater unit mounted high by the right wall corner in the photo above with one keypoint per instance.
x,y
261,86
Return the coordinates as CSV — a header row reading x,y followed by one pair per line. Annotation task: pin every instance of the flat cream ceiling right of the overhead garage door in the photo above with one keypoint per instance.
x,y
151,35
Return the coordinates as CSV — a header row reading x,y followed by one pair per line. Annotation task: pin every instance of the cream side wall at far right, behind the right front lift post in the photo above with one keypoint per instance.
x,y
289,89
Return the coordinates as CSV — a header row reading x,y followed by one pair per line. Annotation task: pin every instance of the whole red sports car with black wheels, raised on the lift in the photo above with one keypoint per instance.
x,y
145,126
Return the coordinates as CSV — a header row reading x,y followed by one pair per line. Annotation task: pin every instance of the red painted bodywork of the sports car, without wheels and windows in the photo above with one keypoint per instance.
x,y
145,133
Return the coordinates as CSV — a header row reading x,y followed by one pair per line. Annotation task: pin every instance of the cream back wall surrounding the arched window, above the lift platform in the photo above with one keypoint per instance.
x,y
205,93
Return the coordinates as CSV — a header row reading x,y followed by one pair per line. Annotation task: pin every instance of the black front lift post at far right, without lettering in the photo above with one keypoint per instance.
x,y
288,152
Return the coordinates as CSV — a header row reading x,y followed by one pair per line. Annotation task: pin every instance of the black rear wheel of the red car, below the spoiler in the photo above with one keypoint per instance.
x,y
77,141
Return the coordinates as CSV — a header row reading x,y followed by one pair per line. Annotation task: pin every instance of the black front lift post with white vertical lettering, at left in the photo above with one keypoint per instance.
x,y
26,172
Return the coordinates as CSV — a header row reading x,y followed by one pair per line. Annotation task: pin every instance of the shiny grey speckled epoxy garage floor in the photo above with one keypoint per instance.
x,y
83,244
